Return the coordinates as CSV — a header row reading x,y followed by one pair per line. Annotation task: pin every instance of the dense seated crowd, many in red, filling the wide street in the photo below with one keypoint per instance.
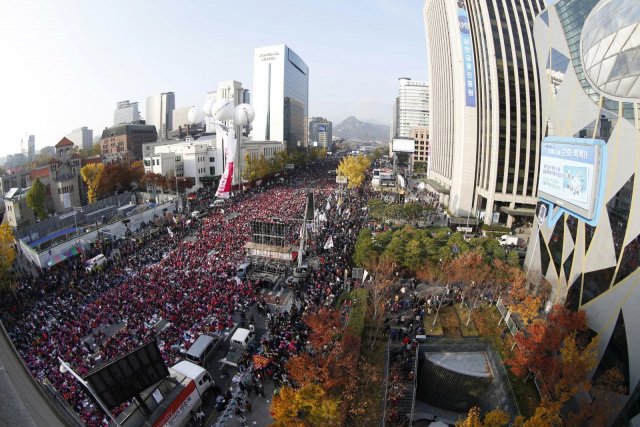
x,y
87,319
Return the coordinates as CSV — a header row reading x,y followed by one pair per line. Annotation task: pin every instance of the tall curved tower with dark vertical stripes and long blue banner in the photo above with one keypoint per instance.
x,y
485,106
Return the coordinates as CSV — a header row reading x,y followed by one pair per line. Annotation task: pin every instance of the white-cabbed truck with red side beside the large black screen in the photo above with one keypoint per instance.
x,y
171,402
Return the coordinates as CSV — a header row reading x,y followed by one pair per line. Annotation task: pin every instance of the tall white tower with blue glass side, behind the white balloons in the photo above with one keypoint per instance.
x,y
280,96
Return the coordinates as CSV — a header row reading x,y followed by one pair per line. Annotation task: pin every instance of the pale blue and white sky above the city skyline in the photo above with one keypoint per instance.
x,y
64,64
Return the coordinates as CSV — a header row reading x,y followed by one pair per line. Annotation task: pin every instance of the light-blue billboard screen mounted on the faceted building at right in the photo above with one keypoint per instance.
x,y
570,174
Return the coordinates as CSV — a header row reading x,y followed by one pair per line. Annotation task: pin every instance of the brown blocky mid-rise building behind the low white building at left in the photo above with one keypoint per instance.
x,y
117,140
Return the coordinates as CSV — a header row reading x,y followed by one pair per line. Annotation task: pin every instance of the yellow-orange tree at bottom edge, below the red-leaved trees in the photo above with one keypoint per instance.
x,y
309,406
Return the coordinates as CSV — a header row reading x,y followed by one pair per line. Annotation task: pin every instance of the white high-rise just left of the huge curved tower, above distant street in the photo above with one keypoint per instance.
x,y
411,108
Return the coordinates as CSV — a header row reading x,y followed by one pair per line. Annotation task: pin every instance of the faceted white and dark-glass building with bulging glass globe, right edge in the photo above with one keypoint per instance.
x,y
590,89
